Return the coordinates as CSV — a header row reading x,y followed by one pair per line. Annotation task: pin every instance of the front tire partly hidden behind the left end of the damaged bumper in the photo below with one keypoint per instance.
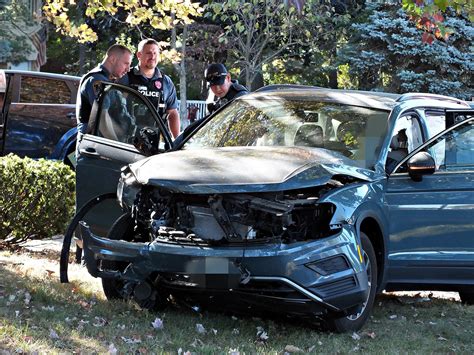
x,y
122,229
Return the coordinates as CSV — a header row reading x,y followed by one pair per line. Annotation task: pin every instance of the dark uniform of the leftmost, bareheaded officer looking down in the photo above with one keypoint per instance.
x,y
86,95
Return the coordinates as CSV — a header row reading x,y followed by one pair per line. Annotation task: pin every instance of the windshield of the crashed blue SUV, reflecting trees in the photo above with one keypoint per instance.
x,y
356,132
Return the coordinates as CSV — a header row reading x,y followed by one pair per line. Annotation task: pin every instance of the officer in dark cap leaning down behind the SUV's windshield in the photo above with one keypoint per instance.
x,y
222,86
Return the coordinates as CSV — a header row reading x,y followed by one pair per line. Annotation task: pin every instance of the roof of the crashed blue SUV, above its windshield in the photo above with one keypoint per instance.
x,y
370,99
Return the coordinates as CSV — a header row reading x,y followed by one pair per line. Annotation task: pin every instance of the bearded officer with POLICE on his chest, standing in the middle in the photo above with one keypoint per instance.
x,y
147,79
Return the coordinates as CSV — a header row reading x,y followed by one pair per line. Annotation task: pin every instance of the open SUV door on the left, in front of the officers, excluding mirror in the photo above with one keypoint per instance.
x,y
116,119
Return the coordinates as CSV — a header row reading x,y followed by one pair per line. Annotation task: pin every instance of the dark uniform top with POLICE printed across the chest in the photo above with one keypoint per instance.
x,y
159,89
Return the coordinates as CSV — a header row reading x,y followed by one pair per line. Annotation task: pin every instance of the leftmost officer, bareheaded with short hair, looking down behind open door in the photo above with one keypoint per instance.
x,y
115,65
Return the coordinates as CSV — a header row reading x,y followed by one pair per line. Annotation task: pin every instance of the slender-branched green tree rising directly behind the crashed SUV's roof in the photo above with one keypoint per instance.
x,y
269,33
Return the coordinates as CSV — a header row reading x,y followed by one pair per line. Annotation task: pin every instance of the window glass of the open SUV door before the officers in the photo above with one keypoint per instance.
x,y
123,115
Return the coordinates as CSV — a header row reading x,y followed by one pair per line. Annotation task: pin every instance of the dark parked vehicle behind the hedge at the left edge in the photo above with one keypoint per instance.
x,y
37,115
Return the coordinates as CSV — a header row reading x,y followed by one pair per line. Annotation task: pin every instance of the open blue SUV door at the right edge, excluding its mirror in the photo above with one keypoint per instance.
x,y
432,221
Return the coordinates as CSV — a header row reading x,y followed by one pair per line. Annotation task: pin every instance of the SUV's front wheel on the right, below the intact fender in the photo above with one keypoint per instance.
x,y
355,321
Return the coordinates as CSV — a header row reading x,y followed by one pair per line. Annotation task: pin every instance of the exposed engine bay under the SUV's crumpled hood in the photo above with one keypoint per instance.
x,y
229,218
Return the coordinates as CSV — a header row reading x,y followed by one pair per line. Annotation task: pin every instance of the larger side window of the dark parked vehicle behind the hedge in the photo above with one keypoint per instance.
x,y
44,91
